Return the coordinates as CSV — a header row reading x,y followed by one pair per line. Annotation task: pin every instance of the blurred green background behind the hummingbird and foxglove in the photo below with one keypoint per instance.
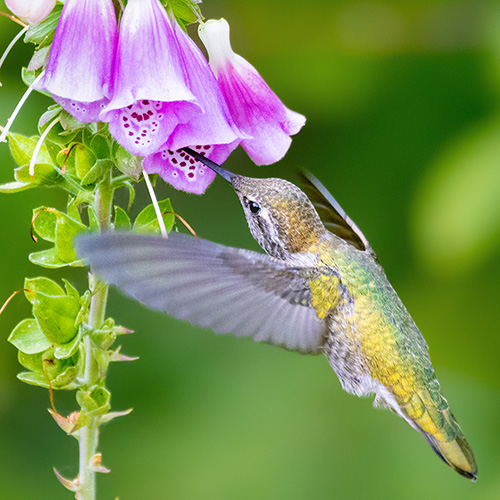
x,y
402,102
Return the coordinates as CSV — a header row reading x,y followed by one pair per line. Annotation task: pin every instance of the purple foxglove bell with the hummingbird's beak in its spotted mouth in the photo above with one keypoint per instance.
x,y
212,134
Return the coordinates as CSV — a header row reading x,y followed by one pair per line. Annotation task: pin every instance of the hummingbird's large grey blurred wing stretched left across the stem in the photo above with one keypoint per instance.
x,y
229,290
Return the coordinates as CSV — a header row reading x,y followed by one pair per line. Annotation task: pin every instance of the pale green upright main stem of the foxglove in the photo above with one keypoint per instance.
x,y
89,435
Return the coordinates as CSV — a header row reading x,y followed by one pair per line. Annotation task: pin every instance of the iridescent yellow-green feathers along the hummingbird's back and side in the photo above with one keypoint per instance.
x,y
381,332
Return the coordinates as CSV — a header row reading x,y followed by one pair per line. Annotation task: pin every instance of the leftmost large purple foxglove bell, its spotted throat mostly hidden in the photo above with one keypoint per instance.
x,y
81,58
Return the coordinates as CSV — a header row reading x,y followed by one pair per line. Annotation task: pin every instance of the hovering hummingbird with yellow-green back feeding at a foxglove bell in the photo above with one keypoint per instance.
x,y
317,289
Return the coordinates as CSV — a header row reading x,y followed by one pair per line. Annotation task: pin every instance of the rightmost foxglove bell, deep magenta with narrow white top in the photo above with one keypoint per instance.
x,y
255,108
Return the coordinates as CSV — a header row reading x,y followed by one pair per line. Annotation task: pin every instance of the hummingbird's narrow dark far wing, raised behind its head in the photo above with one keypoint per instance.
x,y
331,213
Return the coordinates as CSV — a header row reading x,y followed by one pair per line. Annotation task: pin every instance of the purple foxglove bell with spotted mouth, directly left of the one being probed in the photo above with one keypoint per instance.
x,y
150,93
